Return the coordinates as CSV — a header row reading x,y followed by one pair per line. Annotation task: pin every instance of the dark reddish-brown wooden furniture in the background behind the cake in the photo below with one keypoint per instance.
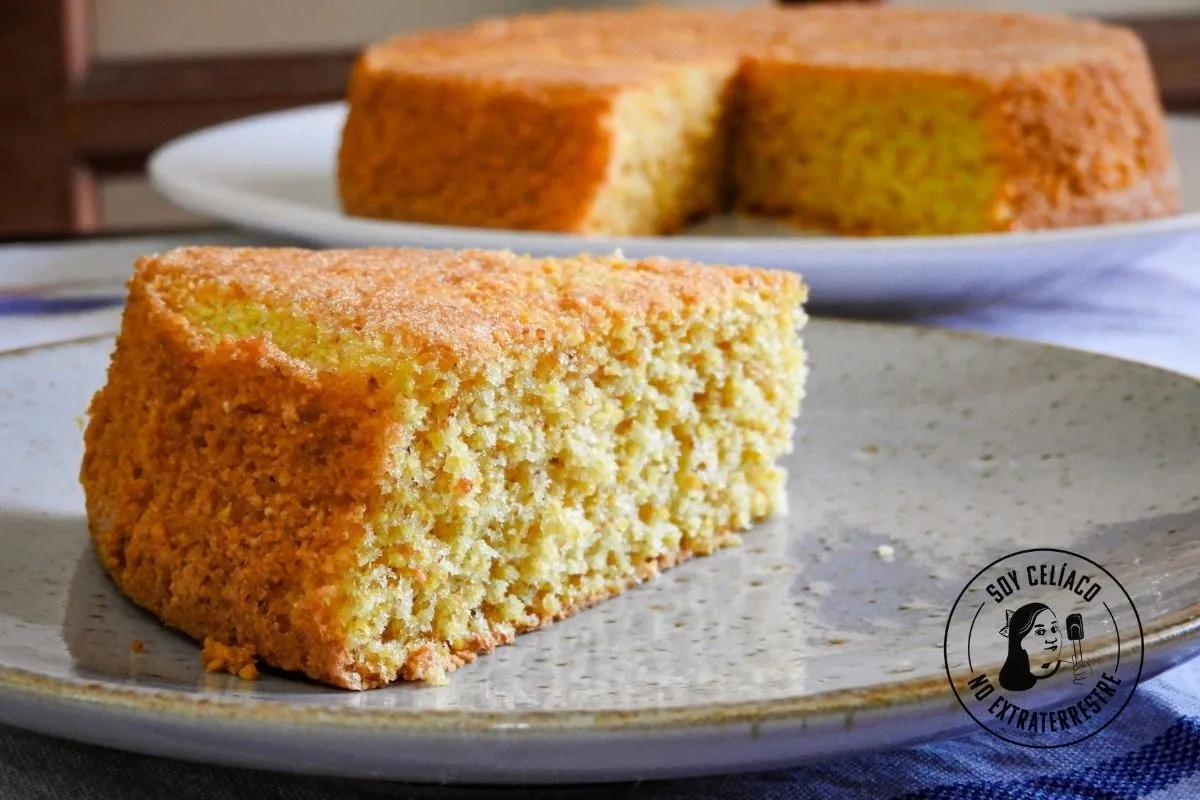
x,y
67,118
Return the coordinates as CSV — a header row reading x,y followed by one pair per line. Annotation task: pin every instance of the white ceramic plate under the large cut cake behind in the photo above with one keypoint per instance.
x,y
275,173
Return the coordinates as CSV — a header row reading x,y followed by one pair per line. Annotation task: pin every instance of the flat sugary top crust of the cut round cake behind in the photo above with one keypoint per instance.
x,y
611,49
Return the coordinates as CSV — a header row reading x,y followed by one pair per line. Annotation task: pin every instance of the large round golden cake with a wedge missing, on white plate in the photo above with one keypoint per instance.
x,y
860,121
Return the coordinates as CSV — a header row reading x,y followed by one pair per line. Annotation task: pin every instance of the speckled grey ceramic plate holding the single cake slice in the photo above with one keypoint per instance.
x,y
922,456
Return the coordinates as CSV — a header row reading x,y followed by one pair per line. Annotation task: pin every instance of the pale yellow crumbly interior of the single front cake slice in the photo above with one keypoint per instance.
x,y
524,486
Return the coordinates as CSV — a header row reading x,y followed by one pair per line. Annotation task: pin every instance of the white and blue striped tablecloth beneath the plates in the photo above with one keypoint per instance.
x,y
1148,311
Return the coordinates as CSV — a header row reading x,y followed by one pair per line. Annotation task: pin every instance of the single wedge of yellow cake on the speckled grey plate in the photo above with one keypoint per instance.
x,y
369,465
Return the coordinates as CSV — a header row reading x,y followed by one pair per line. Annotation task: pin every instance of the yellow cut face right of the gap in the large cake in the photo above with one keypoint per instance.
x,y
867,153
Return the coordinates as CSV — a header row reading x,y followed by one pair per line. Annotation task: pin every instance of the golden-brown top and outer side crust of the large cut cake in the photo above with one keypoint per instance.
x,y
509,123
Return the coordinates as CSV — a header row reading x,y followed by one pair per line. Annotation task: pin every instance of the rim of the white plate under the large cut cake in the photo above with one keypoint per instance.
x,y
269,213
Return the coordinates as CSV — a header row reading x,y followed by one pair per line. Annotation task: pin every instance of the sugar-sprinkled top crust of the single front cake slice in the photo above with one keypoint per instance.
x,y
464,304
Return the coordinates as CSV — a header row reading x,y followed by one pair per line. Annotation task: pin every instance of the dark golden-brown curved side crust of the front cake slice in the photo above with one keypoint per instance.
x,y
206,460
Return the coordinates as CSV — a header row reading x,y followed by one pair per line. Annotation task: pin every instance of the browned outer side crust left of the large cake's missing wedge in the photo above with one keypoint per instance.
x,y
554,134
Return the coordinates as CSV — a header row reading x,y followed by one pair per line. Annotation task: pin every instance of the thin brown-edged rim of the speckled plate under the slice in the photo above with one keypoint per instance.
x,y
879,701
